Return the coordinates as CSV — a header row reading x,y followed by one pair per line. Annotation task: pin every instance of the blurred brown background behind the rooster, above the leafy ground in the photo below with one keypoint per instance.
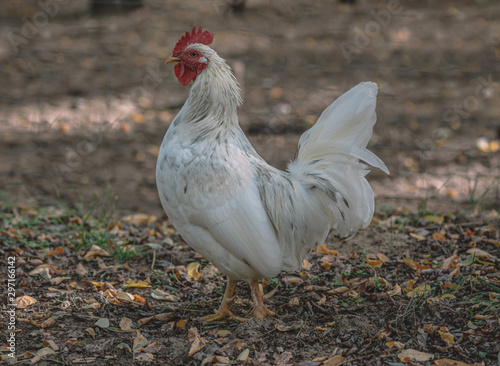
x,y
85,96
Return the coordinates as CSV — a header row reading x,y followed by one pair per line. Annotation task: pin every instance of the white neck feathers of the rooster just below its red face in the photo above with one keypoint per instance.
x,y
215,94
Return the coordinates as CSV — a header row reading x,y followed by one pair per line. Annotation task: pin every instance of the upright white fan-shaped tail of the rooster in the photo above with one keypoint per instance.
x,y
329,154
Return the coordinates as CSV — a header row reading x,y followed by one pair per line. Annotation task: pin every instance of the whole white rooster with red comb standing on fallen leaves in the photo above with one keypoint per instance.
x,y
248,218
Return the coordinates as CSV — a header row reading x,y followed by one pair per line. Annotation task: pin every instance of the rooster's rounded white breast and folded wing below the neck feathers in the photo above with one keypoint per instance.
x,y
210,194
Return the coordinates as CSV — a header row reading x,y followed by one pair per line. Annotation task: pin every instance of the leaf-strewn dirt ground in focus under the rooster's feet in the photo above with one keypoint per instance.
x,y
408,290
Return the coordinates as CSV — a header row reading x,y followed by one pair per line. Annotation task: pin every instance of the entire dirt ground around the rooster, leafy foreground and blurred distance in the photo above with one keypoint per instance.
x,y
85,101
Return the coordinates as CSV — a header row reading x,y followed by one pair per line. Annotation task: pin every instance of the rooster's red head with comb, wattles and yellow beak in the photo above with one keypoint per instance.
x,y
189,56
